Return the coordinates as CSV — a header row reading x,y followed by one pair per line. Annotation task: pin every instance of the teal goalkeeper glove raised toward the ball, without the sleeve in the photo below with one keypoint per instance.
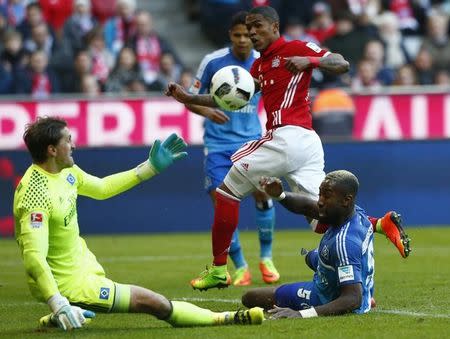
x,y
163,155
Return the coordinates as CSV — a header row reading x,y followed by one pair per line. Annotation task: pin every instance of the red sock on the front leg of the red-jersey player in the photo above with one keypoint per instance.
x,y
226,216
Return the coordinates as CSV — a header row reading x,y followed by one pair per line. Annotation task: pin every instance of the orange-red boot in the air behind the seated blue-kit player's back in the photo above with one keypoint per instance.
x,y
391,225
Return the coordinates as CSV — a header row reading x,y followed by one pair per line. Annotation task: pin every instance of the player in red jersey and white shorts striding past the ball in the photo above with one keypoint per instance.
x,y
290,148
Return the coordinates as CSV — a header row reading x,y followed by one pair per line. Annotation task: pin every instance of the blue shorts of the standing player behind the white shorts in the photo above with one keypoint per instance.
x,y
216,167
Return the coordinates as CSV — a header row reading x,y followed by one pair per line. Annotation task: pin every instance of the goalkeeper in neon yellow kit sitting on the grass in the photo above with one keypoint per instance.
x,y
61,270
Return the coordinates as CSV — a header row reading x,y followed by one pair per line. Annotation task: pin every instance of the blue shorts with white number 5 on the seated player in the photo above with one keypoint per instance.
x,y
297,296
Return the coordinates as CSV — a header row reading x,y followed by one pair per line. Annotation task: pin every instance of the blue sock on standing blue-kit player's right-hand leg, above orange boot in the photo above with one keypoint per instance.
x,y
265,219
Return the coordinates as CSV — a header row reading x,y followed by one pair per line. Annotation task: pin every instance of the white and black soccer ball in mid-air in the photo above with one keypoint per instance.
x,y
232,87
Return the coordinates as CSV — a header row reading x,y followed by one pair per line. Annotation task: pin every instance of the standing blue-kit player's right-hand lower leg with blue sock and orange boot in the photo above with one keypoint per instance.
x,y
265,219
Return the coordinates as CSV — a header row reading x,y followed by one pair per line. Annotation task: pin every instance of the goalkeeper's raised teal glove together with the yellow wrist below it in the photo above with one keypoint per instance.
x,y
162,156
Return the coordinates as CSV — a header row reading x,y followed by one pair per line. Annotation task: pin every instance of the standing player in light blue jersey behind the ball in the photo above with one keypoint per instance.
x,y
225,133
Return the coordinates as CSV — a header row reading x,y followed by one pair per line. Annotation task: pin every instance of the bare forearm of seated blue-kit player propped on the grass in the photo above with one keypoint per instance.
x,y
349,300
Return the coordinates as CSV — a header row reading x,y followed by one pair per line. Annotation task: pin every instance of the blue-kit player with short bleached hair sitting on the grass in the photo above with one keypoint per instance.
x,y
343,263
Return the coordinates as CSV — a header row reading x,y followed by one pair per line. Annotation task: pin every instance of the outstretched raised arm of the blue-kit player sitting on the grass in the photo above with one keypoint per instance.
x,y
294,202
